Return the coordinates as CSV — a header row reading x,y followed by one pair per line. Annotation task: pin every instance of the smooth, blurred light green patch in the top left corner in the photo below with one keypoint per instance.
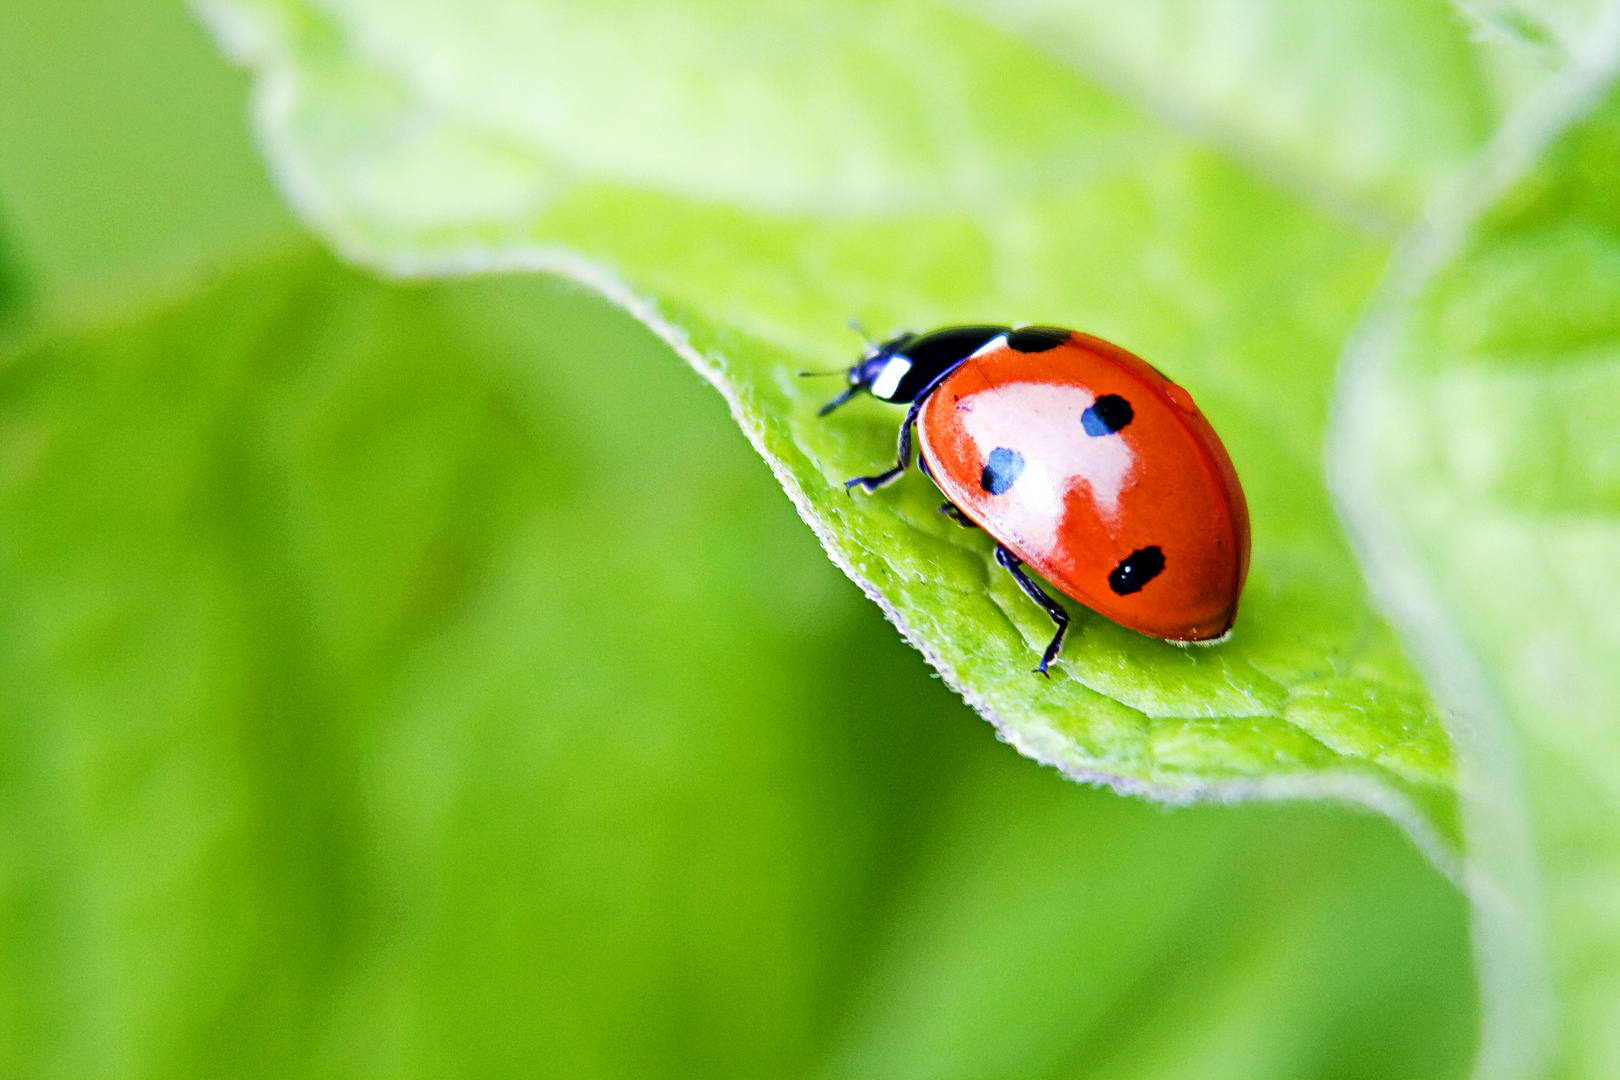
x,y
117,182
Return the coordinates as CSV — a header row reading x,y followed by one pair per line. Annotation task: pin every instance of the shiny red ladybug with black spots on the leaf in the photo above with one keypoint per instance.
x,y
1083,462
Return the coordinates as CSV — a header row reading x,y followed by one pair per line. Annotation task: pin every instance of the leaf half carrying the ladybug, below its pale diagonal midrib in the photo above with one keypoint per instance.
x,y
744,184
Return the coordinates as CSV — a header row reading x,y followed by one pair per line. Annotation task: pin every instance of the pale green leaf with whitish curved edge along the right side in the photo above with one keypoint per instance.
x,y
1483,394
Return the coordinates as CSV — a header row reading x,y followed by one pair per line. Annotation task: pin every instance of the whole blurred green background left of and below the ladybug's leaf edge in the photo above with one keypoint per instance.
x,y
430,681
